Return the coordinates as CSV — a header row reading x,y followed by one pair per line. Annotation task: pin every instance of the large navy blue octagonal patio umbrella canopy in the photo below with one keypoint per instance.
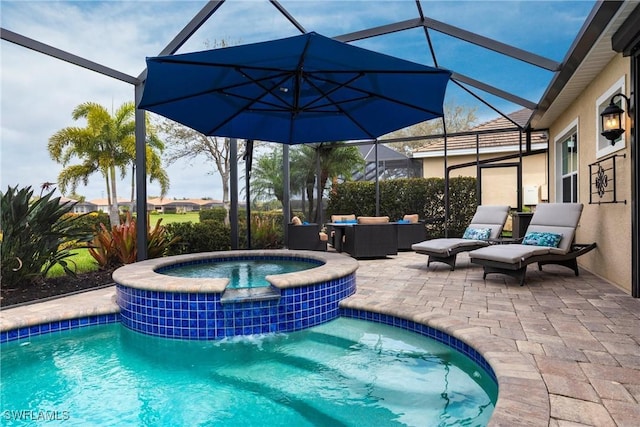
x,y
301,89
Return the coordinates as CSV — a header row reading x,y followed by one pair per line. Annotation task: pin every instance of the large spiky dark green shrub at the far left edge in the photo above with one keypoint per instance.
x,y
36,235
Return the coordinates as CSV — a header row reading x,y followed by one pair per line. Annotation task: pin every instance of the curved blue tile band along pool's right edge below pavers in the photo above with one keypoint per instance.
x,y
423,330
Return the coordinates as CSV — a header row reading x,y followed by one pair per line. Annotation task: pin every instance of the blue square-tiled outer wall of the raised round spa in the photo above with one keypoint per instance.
x,y
201,316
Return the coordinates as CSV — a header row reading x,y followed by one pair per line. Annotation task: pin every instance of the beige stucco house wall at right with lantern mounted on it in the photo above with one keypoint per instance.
x,y
609,225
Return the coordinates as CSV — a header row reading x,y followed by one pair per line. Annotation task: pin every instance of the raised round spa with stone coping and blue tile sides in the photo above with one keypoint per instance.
x,y
202,309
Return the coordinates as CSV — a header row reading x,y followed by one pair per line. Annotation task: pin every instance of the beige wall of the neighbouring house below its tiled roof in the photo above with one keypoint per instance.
x,y
499,185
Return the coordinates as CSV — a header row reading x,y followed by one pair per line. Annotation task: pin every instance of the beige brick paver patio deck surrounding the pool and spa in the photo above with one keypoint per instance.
x,y
566,349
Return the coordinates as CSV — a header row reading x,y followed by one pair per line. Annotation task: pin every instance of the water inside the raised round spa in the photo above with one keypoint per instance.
x,y
241,273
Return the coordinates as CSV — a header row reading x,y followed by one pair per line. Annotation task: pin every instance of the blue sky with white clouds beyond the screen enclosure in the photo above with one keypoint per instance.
x,y
38,93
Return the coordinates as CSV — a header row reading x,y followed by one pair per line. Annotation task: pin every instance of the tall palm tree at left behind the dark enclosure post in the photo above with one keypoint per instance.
x,y
105,145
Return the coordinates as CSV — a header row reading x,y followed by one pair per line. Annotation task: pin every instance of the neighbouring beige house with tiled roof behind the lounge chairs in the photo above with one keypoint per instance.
x,y
500,138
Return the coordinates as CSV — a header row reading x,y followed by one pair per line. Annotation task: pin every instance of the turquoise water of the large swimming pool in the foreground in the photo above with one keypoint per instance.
x,y
343,373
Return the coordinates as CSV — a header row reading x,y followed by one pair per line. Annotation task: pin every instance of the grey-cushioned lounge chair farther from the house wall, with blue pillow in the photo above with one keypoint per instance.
x,y
491,218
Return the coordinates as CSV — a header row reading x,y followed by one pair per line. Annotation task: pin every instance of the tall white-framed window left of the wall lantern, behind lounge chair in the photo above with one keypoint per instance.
x,y
567,165
